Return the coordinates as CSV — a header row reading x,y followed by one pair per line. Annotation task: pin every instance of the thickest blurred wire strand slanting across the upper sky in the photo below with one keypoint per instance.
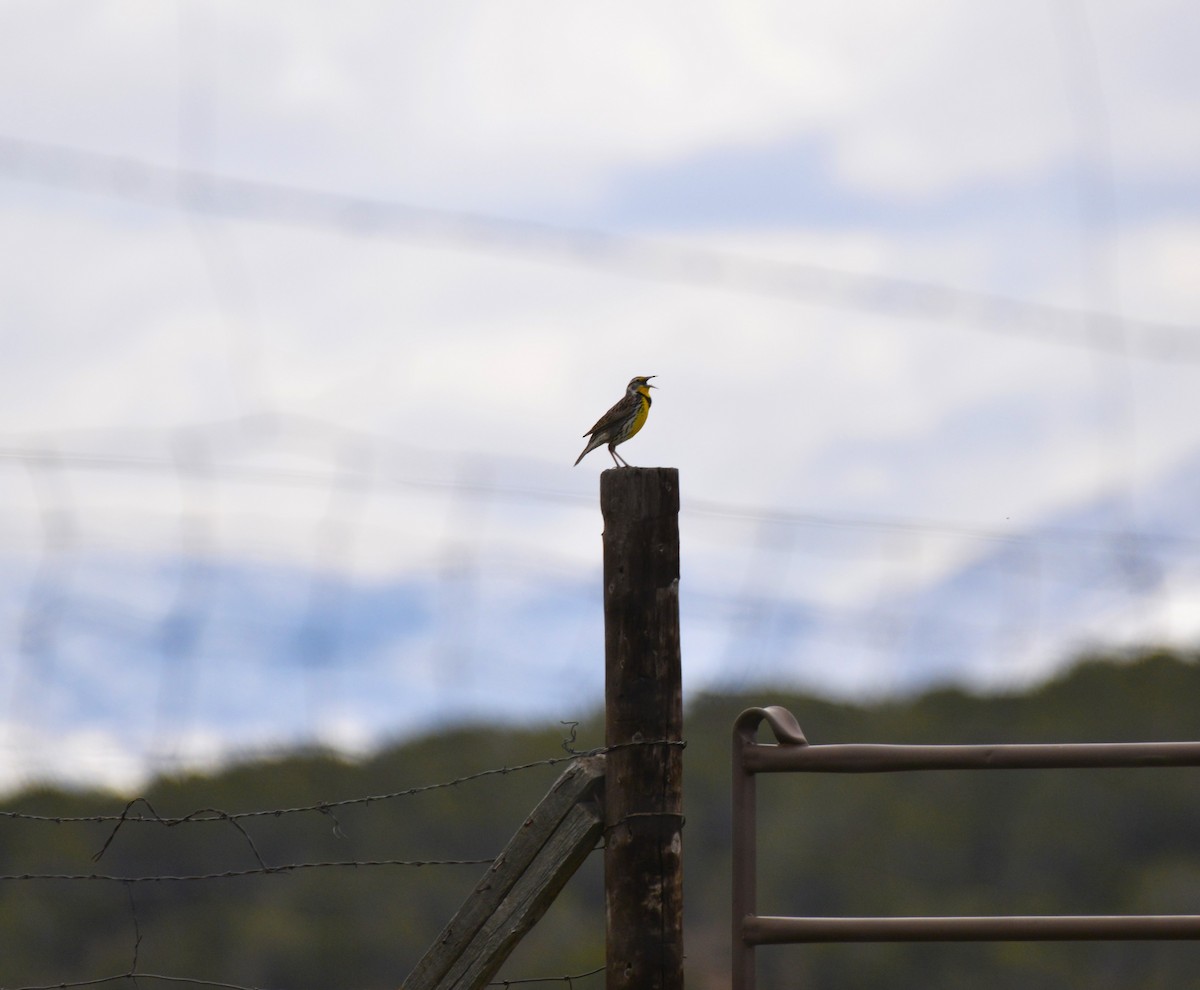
x,y
211,194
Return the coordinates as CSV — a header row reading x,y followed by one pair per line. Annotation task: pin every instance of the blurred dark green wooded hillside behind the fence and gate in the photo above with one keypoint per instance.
x,y
1084,842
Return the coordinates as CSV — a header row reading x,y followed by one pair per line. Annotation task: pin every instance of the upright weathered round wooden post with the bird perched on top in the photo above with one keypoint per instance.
x,y
644,729
